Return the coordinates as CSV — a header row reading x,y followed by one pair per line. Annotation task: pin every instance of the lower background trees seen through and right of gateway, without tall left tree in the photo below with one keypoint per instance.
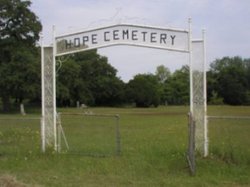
x,y
88,78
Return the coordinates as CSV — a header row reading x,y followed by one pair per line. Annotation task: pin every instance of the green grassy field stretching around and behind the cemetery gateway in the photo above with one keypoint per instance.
x,y
153,148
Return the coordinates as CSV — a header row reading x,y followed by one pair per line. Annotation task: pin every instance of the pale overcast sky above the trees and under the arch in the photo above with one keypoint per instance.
x,y
226,23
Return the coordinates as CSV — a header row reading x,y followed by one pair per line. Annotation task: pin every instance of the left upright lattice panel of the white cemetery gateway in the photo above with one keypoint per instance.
x,y
48,128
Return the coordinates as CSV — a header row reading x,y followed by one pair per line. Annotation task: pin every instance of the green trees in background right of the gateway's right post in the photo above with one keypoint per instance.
x,y
228,79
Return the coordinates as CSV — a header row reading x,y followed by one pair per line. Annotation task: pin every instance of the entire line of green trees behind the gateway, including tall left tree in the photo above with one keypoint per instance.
x,y
87,77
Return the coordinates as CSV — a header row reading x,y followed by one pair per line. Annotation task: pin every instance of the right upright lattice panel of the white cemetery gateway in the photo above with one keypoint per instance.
x,y
199,95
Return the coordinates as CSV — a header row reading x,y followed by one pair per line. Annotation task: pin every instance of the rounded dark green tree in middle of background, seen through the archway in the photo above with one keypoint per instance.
x,y
144,91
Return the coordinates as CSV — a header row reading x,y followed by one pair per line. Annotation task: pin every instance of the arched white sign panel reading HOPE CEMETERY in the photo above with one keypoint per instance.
x,y
146,36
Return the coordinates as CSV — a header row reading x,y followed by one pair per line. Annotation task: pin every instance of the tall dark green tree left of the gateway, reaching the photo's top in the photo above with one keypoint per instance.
x,y
19,32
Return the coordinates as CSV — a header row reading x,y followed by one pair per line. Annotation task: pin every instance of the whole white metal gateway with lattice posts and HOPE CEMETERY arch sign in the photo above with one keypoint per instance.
x,y
134,35
